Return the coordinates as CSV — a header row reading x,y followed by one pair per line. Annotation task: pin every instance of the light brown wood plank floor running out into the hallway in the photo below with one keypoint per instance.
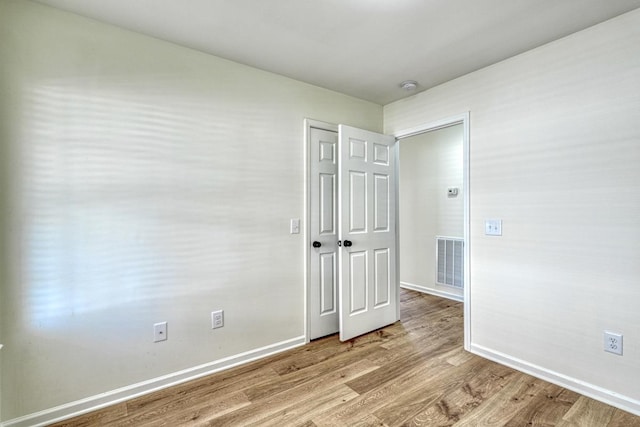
x,y
413,373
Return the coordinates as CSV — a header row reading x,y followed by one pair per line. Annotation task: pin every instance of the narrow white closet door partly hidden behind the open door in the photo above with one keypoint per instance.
x,y
323,290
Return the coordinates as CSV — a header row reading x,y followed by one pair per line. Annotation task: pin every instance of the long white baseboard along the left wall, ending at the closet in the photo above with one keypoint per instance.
x,y
103,400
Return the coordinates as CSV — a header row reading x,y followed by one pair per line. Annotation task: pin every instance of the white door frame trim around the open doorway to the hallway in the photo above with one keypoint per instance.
x,y
429,127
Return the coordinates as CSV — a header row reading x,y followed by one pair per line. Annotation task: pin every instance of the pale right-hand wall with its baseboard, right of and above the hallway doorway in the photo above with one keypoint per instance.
x,y
554,153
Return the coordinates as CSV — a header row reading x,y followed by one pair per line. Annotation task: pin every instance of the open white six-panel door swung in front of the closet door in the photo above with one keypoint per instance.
x,y
368,297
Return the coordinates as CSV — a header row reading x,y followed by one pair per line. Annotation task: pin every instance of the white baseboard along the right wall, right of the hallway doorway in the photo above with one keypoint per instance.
x,y
598,393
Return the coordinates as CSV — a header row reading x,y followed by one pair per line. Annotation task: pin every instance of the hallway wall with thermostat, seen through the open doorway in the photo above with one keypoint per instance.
x,y
430,163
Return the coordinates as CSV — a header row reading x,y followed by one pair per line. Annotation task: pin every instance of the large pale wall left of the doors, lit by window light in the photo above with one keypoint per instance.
x,y
148,183
